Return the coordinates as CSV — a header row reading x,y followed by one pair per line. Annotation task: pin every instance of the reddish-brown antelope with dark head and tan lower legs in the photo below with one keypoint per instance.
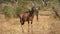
x,y
27,16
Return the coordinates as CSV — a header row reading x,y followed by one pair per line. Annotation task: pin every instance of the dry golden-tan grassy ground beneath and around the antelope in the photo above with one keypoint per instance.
x,y
45,25
